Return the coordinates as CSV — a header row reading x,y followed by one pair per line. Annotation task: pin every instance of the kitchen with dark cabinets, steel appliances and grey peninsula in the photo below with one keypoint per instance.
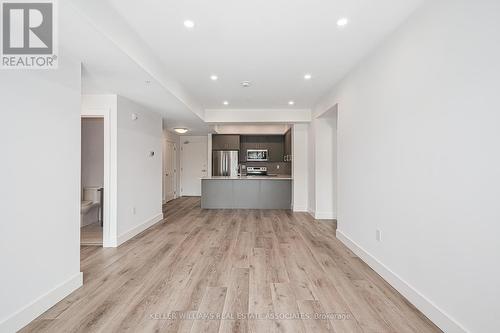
x,y
249,172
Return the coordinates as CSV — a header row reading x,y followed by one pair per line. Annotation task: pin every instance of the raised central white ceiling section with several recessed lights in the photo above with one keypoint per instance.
x,y
272,43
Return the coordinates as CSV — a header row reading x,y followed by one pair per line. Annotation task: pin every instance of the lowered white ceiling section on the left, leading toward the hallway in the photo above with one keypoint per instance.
x,y
107,69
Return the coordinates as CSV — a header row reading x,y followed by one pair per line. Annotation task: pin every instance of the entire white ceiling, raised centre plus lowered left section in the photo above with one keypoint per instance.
x,y
272,43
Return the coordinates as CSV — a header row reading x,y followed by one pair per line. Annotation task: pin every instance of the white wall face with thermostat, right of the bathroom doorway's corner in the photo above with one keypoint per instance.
x,y
139,174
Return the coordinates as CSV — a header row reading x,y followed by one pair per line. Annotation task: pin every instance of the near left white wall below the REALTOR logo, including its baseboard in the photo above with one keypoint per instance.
x,y
40,190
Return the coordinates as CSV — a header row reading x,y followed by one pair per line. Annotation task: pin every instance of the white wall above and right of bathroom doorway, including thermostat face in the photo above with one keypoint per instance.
x,y
135,177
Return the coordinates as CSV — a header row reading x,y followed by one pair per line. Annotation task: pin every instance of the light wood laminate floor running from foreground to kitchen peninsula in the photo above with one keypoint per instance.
x,y
223,271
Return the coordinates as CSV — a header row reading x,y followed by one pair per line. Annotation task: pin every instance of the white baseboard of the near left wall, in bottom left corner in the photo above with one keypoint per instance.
x,y
34,309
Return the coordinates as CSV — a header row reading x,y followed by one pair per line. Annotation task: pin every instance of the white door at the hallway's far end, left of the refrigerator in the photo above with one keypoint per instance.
x,y
193,165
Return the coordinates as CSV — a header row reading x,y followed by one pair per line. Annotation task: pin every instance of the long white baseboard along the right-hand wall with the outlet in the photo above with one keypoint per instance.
x,y
426,306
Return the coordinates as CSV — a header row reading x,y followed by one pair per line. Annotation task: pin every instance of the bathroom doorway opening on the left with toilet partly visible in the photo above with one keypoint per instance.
x,y
92,181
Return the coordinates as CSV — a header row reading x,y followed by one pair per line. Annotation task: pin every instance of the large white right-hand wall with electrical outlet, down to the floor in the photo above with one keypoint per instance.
x,y
419,159
